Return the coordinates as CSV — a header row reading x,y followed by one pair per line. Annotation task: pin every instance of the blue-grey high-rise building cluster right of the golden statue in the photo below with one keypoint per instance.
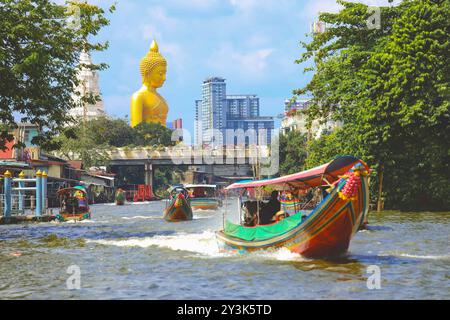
x,y
236,117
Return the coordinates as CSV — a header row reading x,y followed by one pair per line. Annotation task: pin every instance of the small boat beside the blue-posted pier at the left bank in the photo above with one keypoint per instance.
x,y
73,204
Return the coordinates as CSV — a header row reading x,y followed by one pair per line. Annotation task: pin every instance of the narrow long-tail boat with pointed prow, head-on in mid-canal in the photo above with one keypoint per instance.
x,y
179,207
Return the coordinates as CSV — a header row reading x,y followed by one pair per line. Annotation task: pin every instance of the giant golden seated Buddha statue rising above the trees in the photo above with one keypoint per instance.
x,y
146,104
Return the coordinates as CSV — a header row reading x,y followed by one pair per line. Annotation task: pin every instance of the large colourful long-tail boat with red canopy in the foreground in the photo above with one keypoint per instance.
x,y
324,232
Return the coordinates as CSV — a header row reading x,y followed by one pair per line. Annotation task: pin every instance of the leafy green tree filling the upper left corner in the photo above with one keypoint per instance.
x,y
39,55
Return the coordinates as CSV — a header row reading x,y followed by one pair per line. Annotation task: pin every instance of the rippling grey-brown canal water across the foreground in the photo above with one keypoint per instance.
x,y
130,252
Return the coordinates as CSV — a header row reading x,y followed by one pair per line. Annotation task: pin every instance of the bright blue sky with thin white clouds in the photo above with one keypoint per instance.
x,y
251,43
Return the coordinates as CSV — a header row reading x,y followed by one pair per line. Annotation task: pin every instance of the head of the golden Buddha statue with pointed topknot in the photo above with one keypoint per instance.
x,y
153,67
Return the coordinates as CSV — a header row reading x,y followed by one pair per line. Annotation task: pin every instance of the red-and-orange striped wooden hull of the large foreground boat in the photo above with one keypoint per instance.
x,y
325,233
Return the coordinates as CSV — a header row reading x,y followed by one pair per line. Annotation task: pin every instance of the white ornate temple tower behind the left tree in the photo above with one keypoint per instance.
x,y
88,85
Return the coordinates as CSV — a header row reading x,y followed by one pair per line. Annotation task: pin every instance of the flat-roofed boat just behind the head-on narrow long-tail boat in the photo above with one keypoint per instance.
x,y
203,196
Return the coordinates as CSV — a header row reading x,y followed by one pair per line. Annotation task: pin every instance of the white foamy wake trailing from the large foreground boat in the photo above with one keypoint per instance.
x,y
203,244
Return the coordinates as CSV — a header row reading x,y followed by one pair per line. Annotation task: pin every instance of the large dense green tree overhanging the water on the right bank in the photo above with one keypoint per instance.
x,y
389,86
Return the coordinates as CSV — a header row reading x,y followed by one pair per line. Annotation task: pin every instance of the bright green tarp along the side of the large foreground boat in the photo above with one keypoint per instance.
x,y
263,232
